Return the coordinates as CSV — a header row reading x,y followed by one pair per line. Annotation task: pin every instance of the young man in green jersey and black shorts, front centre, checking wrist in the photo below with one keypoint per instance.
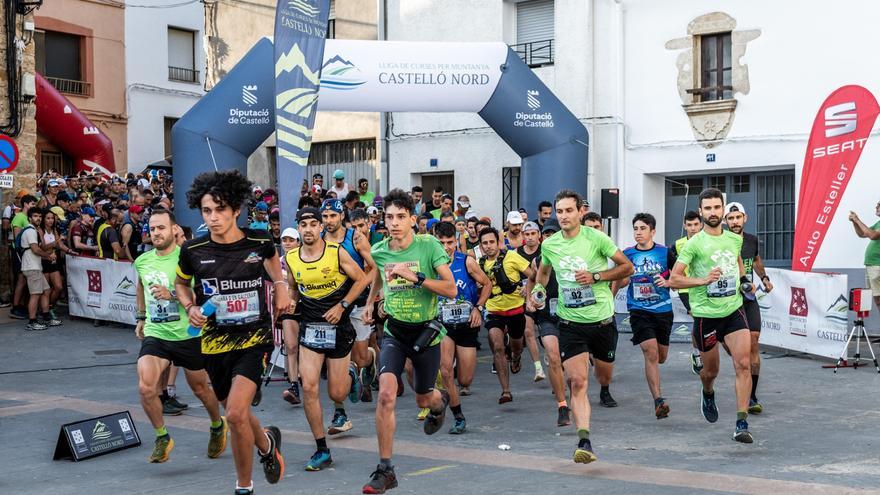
x,y
412,270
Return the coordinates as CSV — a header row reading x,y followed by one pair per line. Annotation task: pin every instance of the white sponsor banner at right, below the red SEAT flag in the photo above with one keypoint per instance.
x,y
805,312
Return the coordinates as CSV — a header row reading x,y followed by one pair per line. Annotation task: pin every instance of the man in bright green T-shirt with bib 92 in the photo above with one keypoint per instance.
x,y
579,258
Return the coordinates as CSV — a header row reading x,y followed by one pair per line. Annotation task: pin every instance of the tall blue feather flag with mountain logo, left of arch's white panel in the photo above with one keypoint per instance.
x,y
300,32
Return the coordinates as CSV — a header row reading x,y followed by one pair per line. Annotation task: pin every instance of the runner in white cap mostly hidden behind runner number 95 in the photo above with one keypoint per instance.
x,y
736,218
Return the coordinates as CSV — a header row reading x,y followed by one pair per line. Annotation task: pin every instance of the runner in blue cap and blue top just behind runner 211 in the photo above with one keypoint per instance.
x,y
362,356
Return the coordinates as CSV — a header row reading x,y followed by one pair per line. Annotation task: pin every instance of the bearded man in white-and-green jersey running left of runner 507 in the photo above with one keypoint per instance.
x,y
162,326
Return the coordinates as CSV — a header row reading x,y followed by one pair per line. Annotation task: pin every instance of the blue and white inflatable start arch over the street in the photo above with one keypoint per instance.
x,y
238,114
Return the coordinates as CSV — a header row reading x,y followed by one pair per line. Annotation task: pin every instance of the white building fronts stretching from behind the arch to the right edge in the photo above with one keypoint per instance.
x,y
676,96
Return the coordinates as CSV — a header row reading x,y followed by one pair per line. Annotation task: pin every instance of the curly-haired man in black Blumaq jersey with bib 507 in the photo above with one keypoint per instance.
x,y
228,266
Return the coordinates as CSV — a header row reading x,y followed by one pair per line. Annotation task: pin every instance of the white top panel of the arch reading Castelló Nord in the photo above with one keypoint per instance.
x,y
371,76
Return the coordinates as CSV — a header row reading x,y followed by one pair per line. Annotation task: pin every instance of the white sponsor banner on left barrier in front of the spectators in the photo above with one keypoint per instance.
x,y
102,289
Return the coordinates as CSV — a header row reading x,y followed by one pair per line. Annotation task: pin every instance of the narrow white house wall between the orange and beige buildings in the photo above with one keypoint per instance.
x,y
150,95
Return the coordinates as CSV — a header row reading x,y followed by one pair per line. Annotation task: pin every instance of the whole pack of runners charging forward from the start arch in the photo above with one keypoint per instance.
x,y
371,299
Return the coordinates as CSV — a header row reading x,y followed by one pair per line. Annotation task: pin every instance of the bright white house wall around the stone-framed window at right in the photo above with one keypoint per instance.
x,y
803,53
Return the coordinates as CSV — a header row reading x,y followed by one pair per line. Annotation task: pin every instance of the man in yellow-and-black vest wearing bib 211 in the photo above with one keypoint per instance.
x,y
325,281
